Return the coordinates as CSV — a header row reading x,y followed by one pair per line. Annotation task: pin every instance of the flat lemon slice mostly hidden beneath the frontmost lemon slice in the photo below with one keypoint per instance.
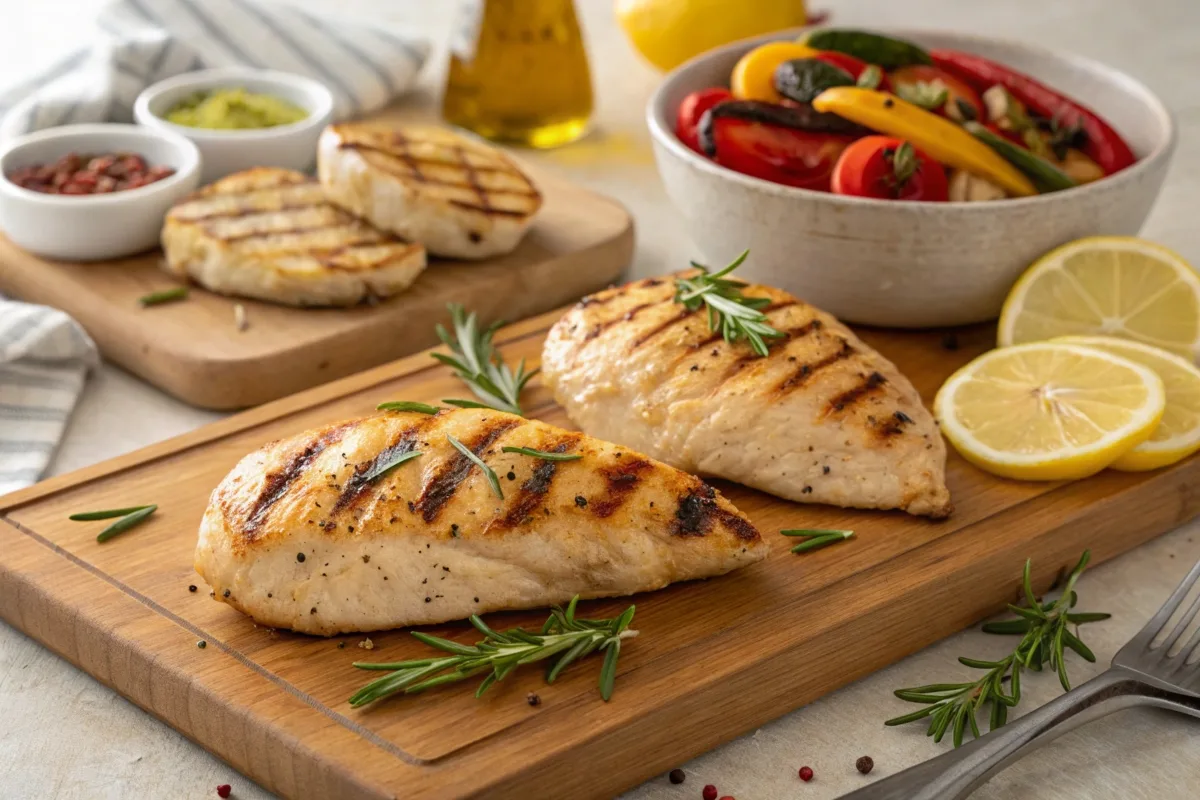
x,y
1179,435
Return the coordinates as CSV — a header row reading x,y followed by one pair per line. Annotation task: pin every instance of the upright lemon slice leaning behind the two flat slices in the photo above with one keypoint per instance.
x,y
1112,286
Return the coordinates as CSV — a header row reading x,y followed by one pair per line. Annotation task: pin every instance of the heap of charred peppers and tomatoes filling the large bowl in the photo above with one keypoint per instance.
x,y
1006,134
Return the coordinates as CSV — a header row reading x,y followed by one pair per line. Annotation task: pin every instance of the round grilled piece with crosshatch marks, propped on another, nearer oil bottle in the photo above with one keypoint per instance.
x,y
457,196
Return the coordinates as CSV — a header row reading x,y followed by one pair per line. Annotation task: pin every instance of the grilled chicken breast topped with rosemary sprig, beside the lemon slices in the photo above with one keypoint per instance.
x,y
823,419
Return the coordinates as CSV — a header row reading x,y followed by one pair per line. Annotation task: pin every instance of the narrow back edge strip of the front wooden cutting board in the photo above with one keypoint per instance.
x,y
242,422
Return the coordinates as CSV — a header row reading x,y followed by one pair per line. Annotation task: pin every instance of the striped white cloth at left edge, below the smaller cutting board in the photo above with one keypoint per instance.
x,y
45,357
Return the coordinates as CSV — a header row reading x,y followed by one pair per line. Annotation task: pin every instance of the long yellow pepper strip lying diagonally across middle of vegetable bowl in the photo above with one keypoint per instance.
x,y
931,134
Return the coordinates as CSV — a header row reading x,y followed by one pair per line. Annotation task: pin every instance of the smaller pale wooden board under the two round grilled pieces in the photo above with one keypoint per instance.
x,y
579,243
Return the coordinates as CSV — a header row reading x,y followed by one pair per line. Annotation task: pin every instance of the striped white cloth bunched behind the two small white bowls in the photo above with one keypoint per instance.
x,y
140,43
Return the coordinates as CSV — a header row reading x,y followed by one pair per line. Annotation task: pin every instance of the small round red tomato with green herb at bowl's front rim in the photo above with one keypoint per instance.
x,y
891,170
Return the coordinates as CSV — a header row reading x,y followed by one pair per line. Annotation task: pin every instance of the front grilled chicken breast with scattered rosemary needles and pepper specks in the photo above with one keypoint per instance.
x,y
301,537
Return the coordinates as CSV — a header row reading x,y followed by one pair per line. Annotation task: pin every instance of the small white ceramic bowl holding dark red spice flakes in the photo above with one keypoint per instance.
x,y
94,227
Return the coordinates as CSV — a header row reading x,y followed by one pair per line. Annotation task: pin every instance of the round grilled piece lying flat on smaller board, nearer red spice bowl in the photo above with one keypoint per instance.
x,y
271,234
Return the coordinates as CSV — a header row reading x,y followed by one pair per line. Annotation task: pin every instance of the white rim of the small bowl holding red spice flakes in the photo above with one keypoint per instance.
x,y
188,151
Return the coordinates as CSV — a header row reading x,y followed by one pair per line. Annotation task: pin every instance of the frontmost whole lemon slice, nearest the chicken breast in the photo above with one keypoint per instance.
x,y
1048,411
